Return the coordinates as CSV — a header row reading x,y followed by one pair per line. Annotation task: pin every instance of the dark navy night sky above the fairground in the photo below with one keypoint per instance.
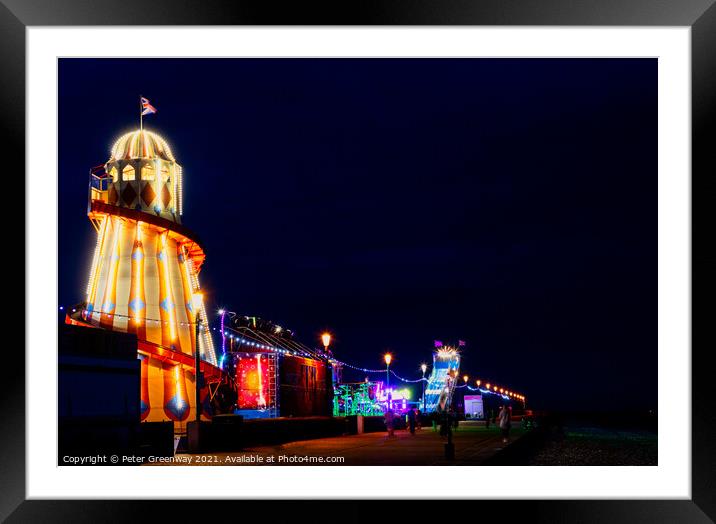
x,y
510,203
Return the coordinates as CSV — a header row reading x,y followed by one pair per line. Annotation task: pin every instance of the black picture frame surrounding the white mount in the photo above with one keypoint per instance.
x,y
699,15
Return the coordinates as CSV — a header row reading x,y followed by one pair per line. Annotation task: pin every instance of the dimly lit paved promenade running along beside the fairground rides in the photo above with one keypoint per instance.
x,y
473,444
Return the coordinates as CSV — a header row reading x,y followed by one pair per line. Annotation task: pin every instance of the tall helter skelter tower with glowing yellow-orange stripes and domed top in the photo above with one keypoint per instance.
x,y
144,277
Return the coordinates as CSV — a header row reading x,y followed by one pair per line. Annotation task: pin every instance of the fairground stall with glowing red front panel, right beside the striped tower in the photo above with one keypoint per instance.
x,y
272,373
